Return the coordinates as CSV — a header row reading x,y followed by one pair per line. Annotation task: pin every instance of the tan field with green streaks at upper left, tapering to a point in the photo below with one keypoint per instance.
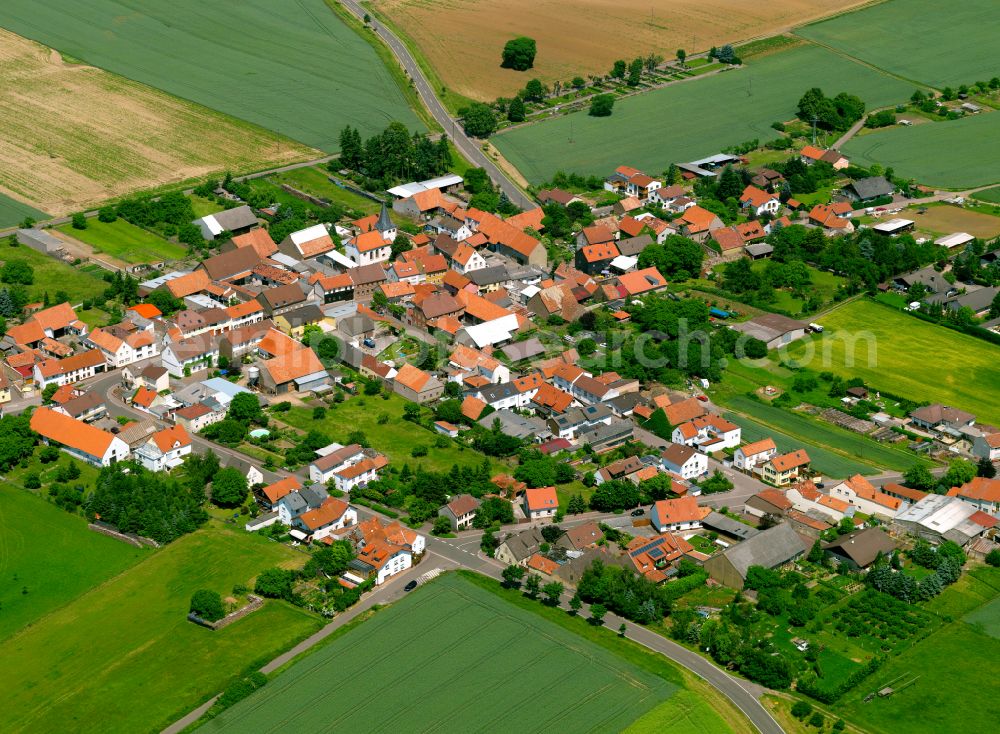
x,y
73,135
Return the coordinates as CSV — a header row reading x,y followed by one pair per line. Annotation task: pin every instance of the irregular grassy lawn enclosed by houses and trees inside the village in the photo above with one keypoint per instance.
x,y
396,438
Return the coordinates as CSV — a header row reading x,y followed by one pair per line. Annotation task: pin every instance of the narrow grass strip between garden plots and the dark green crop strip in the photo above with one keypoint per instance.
x,y
848,444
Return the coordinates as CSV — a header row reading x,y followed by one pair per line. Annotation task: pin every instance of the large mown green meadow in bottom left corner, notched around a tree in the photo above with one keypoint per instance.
x,y
124,655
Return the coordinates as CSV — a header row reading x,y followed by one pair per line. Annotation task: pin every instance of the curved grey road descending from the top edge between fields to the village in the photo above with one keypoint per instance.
x,y
466,145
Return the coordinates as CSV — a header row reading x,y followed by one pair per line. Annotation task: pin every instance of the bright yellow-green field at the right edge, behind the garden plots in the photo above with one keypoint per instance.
x,y
912,359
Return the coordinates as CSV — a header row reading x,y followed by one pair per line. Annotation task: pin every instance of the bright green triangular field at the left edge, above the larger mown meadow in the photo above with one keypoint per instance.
x,y
48,558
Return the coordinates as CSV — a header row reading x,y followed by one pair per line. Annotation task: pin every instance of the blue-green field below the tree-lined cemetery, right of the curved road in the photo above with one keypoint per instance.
x,y
693,119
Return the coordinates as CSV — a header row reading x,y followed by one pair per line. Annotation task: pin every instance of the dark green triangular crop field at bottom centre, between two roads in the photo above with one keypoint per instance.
x,y
441,649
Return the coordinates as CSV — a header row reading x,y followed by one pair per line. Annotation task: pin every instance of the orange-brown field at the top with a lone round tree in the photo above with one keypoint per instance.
x,y
463,39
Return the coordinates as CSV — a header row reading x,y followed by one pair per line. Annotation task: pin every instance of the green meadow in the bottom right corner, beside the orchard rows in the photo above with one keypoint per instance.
x,y
940,699
